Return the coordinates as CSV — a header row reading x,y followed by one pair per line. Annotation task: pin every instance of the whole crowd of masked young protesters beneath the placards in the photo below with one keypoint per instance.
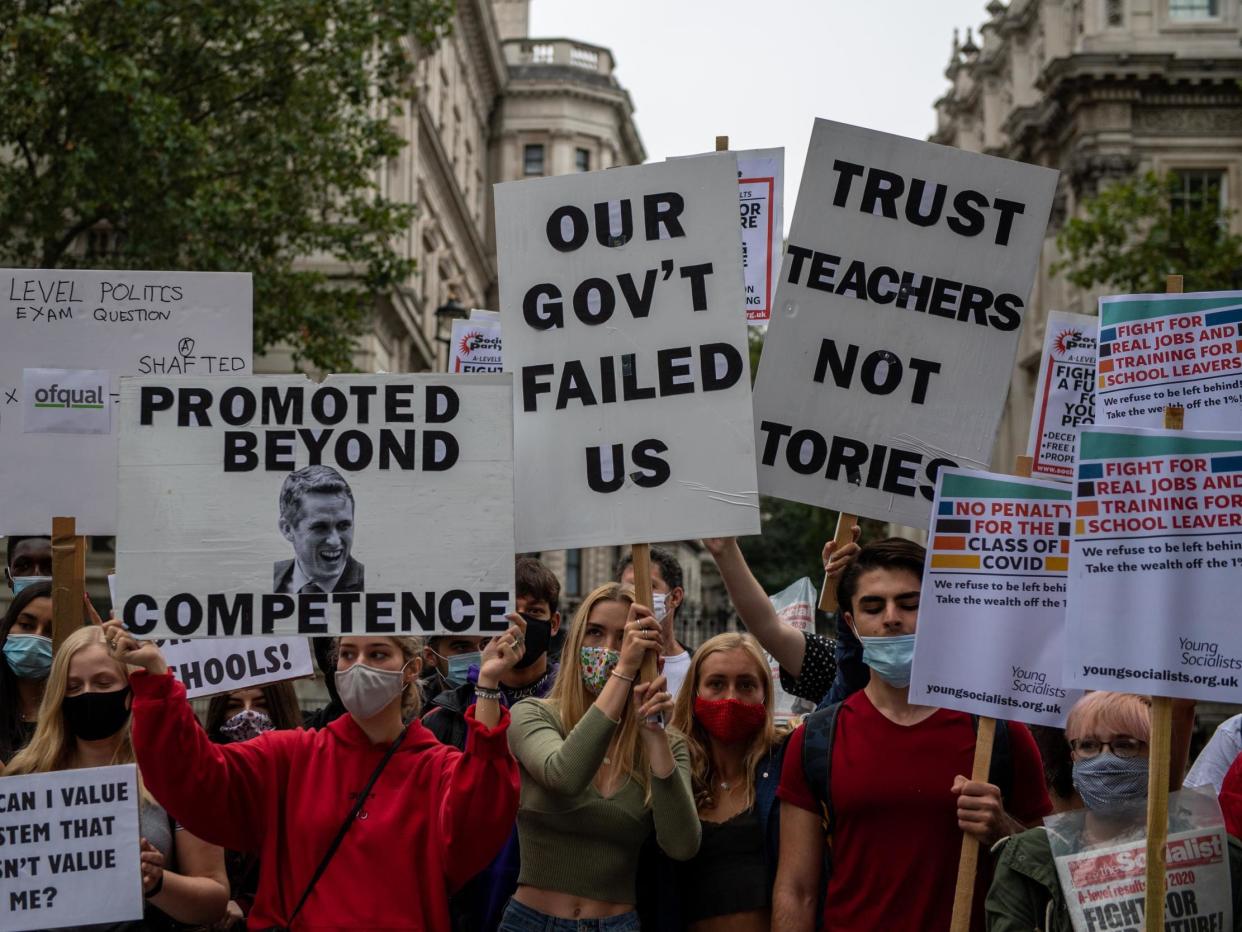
x,y
540,782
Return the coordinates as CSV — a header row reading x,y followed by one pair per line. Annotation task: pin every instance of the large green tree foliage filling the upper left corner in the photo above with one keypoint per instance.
x,y
218,136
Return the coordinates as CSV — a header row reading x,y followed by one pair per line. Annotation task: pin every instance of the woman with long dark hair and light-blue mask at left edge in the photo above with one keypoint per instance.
x,y
27,642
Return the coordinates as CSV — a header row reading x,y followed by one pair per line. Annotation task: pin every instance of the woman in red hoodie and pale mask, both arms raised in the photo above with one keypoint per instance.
x,y
433,820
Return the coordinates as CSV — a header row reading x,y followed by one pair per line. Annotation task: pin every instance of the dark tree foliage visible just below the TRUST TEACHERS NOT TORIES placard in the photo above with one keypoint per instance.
x,y
794,534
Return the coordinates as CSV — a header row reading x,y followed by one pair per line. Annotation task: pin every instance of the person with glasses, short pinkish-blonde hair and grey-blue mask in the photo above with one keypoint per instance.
x,y
1108,734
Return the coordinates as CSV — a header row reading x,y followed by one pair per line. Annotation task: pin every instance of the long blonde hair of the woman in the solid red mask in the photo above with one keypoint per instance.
x,y
704,777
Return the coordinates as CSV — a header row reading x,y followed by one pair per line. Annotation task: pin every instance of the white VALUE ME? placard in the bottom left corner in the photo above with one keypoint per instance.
x,y
69,849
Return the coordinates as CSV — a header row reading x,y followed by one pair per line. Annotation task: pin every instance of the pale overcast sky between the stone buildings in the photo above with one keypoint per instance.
x,y
761,73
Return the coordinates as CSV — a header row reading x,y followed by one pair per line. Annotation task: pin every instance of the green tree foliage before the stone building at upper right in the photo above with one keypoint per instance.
x,y
1136,233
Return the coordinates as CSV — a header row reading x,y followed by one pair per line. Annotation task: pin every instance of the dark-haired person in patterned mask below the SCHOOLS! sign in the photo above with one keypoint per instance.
x,y
243,715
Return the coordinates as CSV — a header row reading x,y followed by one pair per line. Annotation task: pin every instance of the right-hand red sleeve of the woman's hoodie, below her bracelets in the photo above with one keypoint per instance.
x,y
479,801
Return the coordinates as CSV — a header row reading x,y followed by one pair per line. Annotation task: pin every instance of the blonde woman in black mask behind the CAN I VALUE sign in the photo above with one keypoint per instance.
x,y
84,721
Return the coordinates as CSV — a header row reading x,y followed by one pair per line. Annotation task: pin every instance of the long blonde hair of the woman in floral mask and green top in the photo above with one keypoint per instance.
x,y
569,699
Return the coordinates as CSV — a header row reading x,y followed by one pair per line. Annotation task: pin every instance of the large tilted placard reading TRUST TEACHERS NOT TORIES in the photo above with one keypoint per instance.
x,y
896,321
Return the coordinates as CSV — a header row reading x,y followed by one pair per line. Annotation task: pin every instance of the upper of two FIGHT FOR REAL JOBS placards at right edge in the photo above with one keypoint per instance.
x,y
1171,350
